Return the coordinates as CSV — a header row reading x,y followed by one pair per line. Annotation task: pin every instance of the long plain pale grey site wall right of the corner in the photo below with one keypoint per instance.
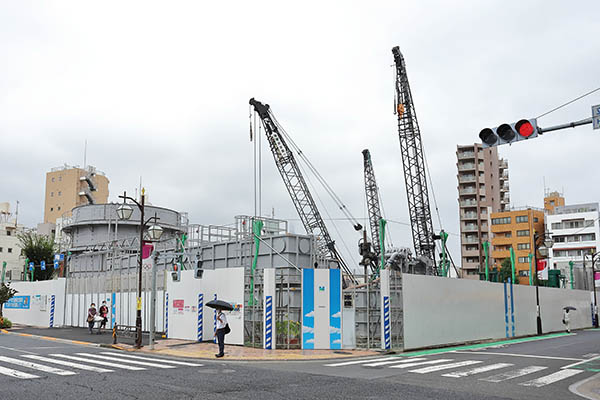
x,y
441,311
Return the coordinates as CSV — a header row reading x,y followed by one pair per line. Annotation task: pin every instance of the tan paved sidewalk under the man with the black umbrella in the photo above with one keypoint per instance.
x,y
183,348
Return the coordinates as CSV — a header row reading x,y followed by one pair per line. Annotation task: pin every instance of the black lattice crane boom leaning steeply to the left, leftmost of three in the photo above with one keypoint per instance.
x,y
298,189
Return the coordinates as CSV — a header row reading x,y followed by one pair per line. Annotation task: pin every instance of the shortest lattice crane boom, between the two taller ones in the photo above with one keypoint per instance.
x,y
374,209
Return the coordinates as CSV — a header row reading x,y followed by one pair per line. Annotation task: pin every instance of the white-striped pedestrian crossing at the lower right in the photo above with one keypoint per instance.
x,y
478,369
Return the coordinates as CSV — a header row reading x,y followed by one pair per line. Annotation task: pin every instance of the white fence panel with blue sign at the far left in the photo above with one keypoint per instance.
x,y
39,296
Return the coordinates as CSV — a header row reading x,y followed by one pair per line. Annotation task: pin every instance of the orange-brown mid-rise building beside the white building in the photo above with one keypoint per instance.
x,y
515,229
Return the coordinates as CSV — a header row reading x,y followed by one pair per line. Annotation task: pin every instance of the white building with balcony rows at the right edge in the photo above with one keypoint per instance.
x,y
576,231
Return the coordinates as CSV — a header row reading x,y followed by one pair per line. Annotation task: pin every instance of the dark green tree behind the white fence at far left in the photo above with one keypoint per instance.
x,y
38,248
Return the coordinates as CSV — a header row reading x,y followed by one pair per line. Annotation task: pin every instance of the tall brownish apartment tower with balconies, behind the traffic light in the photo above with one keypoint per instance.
x,y
482,189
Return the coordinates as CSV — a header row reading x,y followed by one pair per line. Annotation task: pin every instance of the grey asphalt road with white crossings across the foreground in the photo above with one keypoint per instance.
x,y
68,371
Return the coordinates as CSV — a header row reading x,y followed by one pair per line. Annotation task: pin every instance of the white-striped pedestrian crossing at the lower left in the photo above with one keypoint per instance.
x,y
30,366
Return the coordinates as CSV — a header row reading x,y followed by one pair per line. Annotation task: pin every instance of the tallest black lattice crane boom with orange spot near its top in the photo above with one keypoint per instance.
x,y
414,167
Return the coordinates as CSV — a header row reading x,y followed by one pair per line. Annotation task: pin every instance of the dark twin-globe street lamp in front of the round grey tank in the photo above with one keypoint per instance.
x,y
124,211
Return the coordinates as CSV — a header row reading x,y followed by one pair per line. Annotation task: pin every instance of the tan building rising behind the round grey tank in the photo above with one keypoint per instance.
x,y
68,187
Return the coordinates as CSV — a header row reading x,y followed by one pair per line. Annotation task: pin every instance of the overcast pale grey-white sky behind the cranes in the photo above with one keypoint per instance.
x,y
161,89
